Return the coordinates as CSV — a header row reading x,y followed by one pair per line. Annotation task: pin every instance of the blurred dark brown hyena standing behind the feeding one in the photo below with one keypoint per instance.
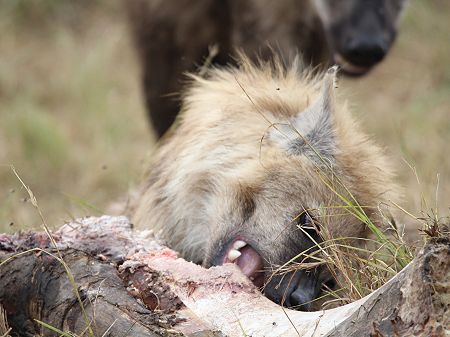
x,y
174,36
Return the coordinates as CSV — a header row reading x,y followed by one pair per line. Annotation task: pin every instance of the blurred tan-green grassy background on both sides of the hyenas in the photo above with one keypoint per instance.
x,y
73,122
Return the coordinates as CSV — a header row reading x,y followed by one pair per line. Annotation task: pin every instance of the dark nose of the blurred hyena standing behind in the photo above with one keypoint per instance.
x,y
364,51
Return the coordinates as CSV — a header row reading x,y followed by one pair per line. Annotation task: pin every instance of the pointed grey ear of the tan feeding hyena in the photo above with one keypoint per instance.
x,y
311,132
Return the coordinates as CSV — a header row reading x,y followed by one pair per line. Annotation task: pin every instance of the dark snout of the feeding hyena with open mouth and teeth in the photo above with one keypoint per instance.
x,y
274,266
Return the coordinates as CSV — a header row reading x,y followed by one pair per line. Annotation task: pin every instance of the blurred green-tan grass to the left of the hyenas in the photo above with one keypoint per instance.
x,y
71,117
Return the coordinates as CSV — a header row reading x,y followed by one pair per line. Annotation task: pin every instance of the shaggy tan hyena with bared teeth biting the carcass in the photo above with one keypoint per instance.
x,y
247,175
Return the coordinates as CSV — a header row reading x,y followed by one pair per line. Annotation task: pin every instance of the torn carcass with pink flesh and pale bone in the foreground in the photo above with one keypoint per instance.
x,y
110,263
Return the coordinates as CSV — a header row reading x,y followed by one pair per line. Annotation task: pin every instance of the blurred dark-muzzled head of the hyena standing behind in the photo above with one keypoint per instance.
x,y
359,32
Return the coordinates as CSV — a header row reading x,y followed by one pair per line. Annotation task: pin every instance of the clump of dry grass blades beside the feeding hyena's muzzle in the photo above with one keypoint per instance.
x,y
359,265
